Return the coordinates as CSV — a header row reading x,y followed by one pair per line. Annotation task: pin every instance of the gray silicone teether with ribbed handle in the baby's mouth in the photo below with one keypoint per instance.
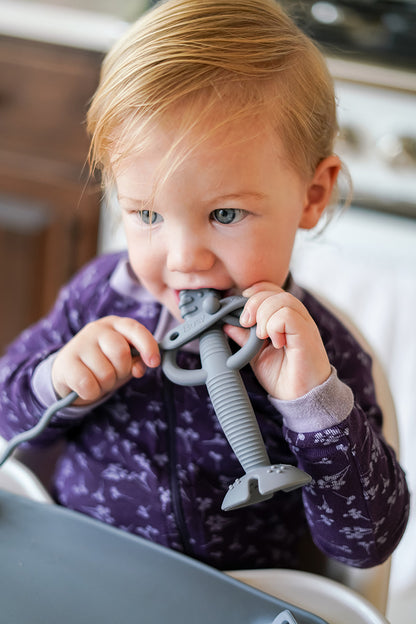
x,y
203,312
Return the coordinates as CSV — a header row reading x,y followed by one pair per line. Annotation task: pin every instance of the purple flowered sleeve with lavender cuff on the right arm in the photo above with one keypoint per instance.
x,y
357,503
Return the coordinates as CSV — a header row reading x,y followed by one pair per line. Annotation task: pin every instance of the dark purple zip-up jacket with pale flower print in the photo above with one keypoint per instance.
x,y
152,459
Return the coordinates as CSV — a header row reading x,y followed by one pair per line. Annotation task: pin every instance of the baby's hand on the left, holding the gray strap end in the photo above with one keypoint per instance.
x,y
98,359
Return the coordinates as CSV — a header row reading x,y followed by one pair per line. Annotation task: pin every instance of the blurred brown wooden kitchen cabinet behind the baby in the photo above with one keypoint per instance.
x,y
49,208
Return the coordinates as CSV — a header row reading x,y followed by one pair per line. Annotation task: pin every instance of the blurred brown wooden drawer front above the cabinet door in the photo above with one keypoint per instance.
x,y
44,94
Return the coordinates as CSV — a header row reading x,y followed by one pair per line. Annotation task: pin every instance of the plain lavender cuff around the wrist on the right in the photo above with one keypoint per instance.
x,y
322,407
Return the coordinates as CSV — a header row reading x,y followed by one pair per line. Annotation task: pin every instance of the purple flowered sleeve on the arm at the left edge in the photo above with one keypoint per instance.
x,y
21,406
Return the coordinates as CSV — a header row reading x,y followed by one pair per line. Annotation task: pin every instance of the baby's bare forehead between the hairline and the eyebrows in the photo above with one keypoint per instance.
x,y
230,159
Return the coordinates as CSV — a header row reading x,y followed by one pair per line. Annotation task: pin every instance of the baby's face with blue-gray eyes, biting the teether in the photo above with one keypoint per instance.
x,y
225,218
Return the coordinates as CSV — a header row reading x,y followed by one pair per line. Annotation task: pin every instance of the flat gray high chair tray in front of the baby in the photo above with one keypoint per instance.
x,y
59,566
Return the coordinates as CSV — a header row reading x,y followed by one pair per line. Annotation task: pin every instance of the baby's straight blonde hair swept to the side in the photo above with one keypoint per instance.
x,y
245,58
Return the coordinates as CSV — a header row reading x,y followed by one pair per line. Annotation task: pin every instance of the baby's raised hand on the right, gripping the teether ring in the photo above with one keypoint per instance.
x,y
293,360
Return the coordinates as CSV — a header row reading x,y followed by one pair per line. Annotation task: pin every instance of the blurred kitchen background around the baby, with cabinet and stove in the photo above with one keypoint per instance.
x,y
365,260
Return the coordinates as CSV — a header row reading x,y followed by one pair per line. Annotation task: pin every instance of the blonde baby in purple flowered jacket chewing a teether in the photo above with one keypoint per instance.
x,y
214,122
